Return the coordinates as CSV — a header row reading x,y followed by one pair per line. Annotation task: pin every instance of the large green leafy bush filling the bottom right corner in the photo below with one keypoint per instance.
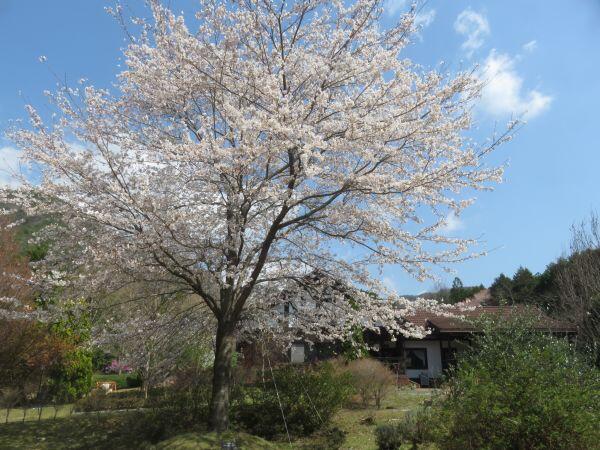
x,y
519,388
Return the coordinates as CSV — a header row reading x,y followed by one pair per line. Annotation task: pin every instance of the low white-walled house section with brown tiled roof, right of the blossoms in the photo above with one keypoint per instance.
x,y
427,358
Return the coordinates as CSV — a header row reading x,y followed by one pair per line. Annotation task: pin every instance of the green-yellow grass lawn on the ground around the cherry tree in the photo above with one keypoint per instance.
x,y
111,430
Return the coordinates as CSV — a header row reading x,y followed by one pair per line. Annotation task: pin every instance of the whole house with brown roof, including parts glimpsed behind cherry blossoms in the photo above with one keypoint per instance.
x,y
419,359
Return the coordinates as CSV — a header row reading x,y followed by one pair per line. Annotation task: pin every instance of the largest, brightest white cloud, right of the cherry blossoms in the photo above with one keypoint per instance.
x,y
503,91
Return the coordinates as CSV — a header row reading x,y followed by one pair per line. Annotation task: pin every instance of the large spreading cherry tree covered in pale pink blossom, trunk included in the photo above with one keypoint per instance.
x,y
273,139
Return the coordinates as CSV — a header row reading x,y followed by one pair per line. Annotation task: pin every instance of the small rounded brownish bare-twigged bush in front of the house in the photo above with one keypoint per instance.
x,y
372,380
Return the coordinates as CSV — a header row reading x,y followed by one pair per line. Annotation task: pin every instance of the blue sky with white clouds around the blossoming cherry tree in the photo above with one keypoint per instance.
x,y
542,58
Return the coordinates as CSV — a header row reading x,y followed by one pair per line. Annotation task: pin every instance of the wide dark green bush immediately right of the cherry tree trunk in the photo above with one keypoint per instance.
x,y
309,397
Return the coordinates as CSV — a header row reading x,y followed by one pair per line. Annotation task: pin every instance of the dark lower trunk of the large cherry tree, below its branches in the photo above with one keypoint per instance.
x,y
222,371
